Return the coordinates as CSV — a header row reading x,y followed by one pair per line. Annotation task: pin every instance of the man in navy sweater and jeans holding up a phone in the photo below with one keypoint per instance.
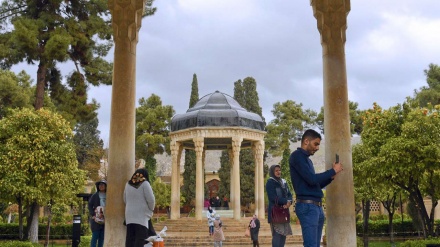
x,y
308,187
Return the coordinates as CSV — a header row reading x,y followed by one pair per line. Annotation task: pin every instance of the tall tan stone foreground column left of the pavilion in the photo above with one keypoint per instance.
x,y
126,21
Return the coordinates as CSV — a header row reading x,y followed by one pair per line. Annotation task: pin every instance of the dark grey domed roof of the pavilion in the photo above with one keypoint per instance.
x,y
217,110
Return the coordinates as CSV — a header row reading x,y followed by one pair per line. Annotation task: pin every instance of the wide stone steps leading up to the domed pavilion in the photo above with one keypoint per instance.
x,y
191,232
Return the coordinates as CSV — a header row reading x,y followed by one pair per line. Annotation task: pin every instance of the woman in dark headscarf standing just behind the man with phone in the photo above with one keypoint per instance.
x,y
278,192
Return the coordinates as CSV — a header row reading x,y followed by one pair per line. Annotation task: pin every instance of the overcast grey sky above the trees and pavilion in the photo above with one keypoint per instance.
x,y
389,45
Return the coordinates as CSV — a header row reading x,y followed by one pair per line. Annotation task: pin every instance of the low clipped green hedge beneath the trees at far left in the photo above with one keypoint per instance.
x,y
60,231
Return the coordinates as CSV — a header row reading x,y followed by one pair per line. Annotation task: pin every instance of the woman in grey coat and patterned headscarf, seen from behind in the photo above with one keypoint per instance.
x,y
139,205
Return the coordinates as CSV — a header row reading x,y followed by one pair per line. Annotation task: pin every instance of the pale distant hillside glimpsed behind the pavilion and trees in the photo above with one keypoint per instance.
x,y
213,159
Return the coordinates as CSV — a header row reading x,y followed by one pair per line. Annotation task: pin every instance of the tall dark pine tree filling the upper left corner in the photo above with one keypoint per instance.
x,y
49,32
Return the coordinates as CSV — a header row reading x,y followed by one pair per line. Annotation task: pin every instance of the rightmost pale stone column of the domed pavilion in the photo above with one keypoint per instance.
x,y
259,153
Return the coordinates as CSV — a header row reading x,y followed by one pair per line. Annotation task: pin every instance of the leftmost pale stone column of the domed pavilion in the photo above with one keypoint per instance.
x,y
176,151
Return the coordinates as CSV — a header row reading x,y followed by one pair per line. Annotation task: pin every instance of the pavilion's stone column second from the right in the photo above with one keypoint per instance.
x,y
236,145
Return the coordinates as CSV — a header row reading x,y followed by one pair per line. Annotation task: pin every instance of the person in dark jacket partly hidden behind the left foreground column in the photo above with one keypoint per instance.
x,y
96,213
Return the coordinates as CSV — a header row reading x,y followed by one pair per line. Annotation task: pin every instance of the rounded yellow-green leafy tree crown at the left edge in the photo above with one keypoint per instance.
x,y
37,159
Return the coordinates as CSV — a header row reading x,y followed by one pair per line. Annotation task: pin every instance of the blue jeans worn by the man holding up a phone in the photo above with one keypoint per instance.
x,y
311,217
